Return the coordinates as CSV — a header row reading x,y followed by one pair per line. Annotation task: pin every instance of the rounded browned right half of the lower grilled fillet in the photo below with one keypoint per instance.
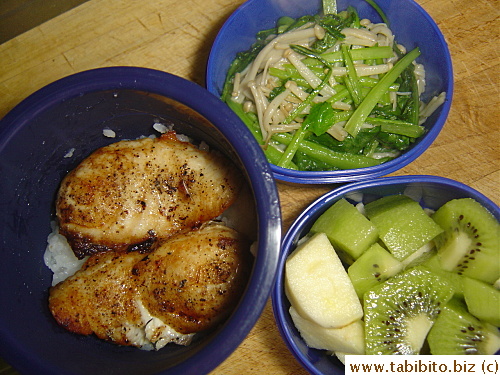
x,y
193,281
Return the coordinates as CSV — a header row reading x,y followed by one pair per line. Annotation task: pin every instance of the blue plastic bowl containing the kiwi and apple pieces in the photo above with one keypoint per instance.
x,y
433,192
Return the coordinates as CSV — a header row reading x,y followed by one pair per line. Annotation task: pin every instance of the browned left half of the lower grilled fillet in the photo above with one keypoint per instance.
x,y
100,298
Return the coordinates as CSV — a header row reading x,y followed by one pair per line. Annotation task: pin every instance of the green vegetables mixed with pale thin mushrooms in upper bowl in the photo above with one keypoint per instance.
x,y
345,106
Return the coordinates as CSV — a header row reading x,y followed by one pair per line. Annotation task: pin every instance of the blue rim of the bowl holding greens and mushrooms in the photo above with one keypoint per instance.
x,y
359,174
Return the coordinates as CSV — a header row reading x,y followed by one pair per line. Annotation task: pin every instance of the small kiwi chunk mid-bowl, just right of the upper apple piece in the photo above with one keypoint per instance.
x,y
371,268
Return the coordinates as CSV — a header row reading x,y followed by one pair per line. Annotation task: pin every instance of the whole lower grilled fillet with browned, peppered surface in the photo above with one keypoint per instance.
x,y
188,284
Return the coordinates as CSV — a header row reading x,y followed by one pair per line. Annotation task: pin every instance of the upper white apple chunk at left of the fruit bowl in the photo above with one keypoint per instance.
x,y
317,284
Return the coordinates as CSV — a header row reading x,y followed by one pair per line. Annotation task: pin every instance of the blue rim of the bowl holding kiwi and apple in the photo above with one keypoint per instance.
x,y
328,199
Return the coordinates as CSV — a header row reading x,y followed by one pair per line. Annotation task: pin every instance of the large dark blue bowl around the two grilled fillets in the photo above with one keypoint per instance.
x,y
71,113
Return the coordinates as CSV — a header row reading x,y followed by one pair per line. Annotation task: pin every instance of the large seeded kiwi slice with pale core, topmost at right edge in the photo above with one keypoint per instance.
x,y
469,244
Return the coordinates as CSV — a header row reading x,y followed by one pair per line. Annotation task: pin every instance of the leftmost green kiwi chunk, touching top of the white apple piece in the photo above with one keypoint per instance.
x,y
347,229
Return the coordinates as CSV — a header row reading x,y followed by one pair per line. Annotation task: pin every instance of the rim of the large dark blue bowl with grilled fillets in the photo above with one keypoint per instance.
x,y
262,279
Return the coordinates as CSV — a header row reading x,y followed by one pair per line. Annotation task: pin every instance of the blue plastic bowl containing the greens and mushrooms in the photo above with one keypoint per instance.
x,y
412,27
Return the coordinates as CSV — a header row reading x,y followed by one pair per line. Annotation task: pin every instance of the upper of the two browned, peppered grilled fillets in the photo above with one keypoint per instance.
x,y
124,195
